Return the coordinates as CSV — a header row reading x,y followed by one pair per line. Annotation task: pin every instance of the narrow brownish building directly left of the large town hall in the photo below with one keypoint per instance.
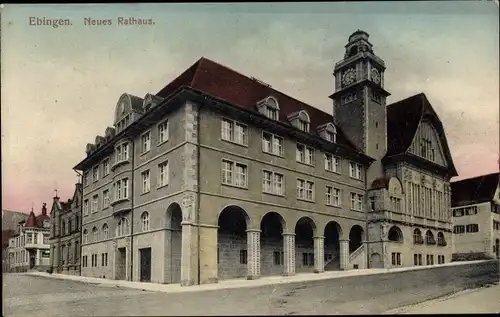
x,y
65,234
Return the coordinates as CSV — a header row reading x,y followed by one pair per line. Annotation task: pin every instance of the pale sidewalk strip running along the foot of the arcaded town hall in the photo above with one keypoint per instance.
x,y
234,283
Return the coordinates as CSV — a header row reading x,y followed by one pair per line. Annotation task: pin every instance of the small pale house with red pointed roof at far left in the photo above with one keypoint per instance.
x,y
29,248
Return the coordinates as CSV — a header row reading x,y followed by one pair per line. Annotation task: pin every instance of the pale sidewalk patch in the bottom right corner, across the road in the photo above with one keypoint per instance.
x,y
472,301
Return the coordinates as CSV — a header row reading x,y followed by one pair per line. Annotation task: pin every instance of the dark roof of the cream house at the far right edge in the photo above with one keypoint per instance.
x,y
474,190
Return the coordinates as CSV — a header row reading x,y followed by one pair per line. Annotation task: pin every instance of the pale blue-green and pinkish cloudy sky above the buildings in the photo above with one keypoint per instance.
x,y
60,86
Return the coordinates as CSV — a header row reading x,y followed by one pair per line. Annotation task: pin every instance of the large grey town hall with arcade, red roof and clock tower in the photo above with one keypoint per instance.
x,y
220,176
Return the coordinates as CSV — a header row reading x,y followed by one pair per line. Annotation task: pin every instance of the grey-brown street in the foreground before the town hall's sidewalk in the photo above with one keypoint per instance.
x,y
371,294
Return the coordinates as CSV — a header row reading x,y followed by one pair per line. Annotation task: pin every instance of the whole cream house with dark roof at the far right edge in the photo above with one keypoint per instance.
x,y
476,217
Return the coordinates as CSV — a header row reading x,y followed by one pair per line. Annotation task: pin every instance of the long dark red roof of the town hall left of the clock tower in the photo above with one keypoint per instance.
x,y
230,86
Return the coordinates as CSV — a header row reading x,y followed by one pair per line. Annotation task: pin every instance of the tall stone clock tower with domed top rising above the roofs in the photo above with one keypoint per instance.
x,y
359,100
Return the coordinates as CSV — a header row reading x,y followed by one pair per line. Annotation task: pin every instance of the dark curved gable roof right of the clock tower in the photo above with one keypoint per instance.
x,y
403,119
